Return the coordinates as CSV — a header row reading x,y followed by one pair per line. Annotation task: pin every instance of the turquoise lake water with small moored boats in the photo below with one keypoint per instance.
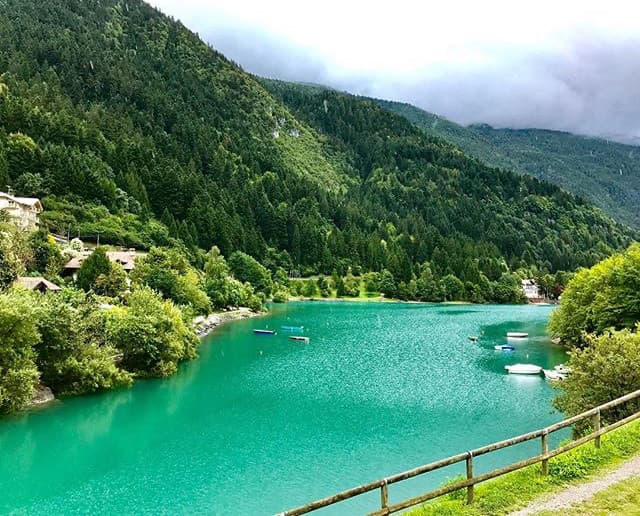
x,y
260,424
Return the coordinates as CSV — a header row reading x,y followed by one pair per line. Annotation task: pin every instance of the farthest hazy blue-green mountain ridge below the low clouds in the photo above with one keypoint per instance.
x,y
605,172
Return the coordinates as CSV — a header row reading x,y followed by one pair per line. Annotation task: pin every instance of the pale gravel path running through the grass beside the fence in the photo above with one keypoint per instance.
x,y
582,492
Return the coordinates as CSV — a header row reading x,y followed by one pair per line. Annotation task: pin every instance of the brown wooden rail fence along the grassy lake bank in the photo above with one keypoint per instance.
x,y
468,457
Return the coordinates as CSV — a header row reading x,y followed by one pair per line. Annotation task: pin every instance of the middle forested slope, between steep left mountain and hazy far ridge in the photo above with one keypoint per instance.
x,y
443,200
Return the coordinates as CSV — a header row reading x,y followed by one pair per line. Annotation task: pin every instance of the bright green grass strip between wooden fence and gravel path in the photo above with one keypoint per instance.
x,y
517,489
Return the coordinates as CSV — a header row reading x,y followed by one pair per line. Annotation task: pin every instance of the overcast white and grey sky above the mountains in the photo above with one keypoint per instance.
x,y
558,64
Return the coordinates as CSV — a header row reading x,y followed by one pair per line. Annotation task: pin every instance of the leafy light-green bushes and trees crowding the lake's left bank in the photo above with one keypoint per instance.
x,y
100,332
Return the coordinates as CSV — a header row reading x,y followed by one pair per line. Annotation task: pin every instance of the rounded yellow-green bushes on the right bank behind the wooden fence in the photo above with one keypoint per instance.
x,y
599,319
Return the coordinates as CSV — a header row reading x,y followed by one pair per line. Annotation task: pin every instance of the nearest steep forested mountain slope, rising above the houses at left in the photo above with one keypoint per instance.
x,y
111,103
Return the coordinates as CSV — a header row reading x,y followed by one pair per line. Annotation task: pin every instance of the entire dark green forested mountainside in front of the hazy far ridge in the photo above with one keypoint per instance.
x,y
129,126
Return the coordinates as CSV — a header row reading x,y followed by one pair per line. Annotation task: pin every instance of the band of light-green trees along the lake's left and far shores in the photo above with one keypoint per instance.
x,y
107,326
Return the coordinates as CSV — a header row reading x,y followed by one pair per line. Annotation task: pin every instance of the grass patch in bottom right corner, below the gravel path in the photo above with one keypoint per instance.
x,y
621,499
